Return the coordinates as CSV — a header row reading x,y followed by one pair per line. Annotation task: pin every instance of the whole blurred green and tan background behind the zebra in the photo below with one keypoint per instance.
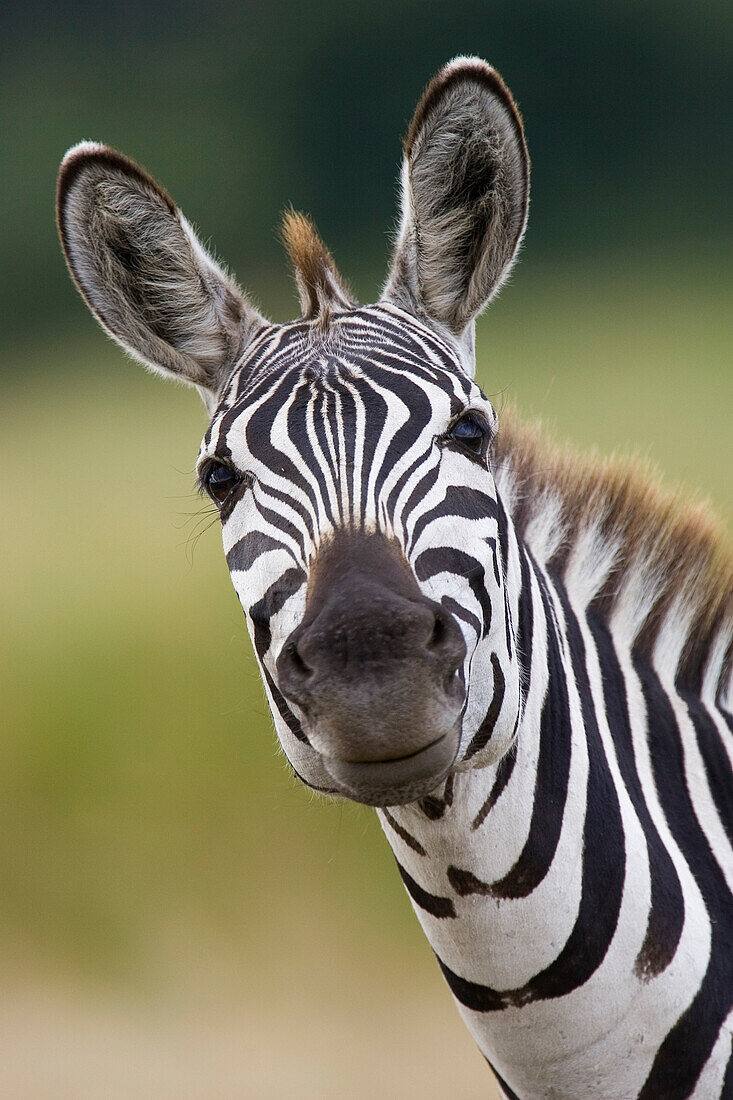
x,y
179,918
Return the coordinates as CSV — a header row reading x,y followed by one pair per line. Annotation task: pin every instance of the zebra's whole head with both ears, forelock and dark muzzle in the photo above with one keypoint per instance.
x,y
349,453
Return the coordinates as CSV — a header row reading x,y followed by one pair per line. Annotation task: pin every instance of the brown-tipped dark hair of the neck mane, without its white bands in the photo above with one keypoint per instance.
x,y
659,532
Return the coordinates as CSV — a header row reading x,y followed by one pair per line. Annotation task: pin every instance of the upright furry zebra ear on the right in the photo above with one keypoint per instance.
x,y
465,196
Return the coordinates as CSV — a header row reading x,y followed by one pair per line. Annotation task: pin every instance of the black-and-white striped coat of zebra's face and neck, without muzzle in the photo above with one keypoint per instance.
x,y
575,874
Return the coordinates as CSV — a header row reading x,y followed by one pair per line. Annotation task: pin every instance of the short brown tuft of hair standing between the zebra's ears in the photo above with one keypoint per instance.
x,y
321,288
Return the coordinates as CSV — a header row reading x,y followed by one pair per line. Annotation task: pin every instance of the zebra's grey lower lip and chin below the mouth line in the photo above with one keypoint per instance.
x,y
398,782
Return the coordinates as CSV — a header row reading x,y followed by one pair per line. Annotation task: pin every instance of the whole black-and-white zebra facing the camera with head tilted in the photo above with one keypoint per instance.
x,y
521,657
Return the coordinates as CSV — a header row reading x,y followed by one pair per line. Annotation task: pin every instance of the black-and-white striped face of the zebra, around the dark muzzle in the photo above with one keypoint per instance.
x,y
345,431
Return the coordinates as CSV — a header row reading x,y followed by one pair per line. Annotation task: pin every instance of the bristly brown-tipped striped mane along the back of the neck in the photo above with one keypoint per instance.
x,y
655,565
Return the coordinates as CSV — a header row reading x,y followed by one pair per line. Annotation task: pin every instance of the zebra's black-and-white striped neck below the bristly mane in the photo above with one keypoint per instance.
x,y
556,898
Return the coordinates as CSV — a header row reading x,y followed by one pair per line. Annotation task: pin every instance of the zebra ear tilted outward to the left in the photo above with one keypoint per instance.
x,y
145,274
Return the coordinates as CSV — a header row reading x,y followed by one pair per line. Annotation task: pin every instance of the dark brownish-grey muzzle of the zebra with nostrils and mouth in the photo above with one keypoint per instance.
x,y
376,669
